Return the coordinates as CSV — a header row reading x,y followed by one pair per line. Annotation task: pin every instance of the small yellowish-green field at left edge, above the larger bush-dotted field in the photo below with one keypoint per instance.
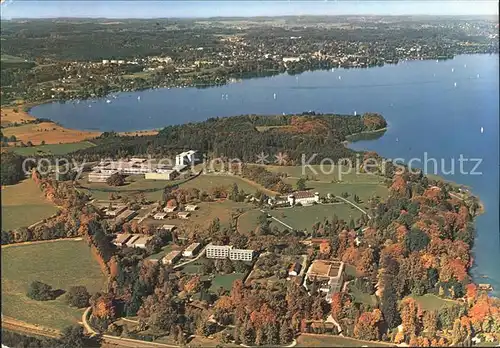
x,y
23,204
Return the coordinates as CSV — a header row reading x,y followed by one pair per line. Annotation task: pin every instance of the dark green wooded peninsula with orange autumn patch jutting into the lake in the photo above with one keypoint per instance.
x,y
293,135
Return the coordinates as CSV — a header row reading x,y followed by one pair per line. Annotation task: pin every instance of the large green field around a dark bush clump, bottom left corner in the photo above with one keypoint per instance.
x,y
61,264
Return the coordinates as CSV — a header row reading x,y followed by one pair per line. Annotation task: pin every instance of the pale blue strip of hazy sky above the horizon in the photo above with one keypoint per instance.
x,y
207,8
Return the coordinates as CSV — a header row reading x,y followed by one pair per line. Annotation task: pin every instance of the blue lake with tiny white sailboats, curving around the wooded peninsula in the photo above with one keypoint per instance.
x,y
428,115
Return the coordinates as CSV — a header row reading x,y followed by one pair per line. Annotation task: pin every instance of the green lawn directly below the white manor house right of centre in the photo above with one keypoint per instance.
x,y
302,218
